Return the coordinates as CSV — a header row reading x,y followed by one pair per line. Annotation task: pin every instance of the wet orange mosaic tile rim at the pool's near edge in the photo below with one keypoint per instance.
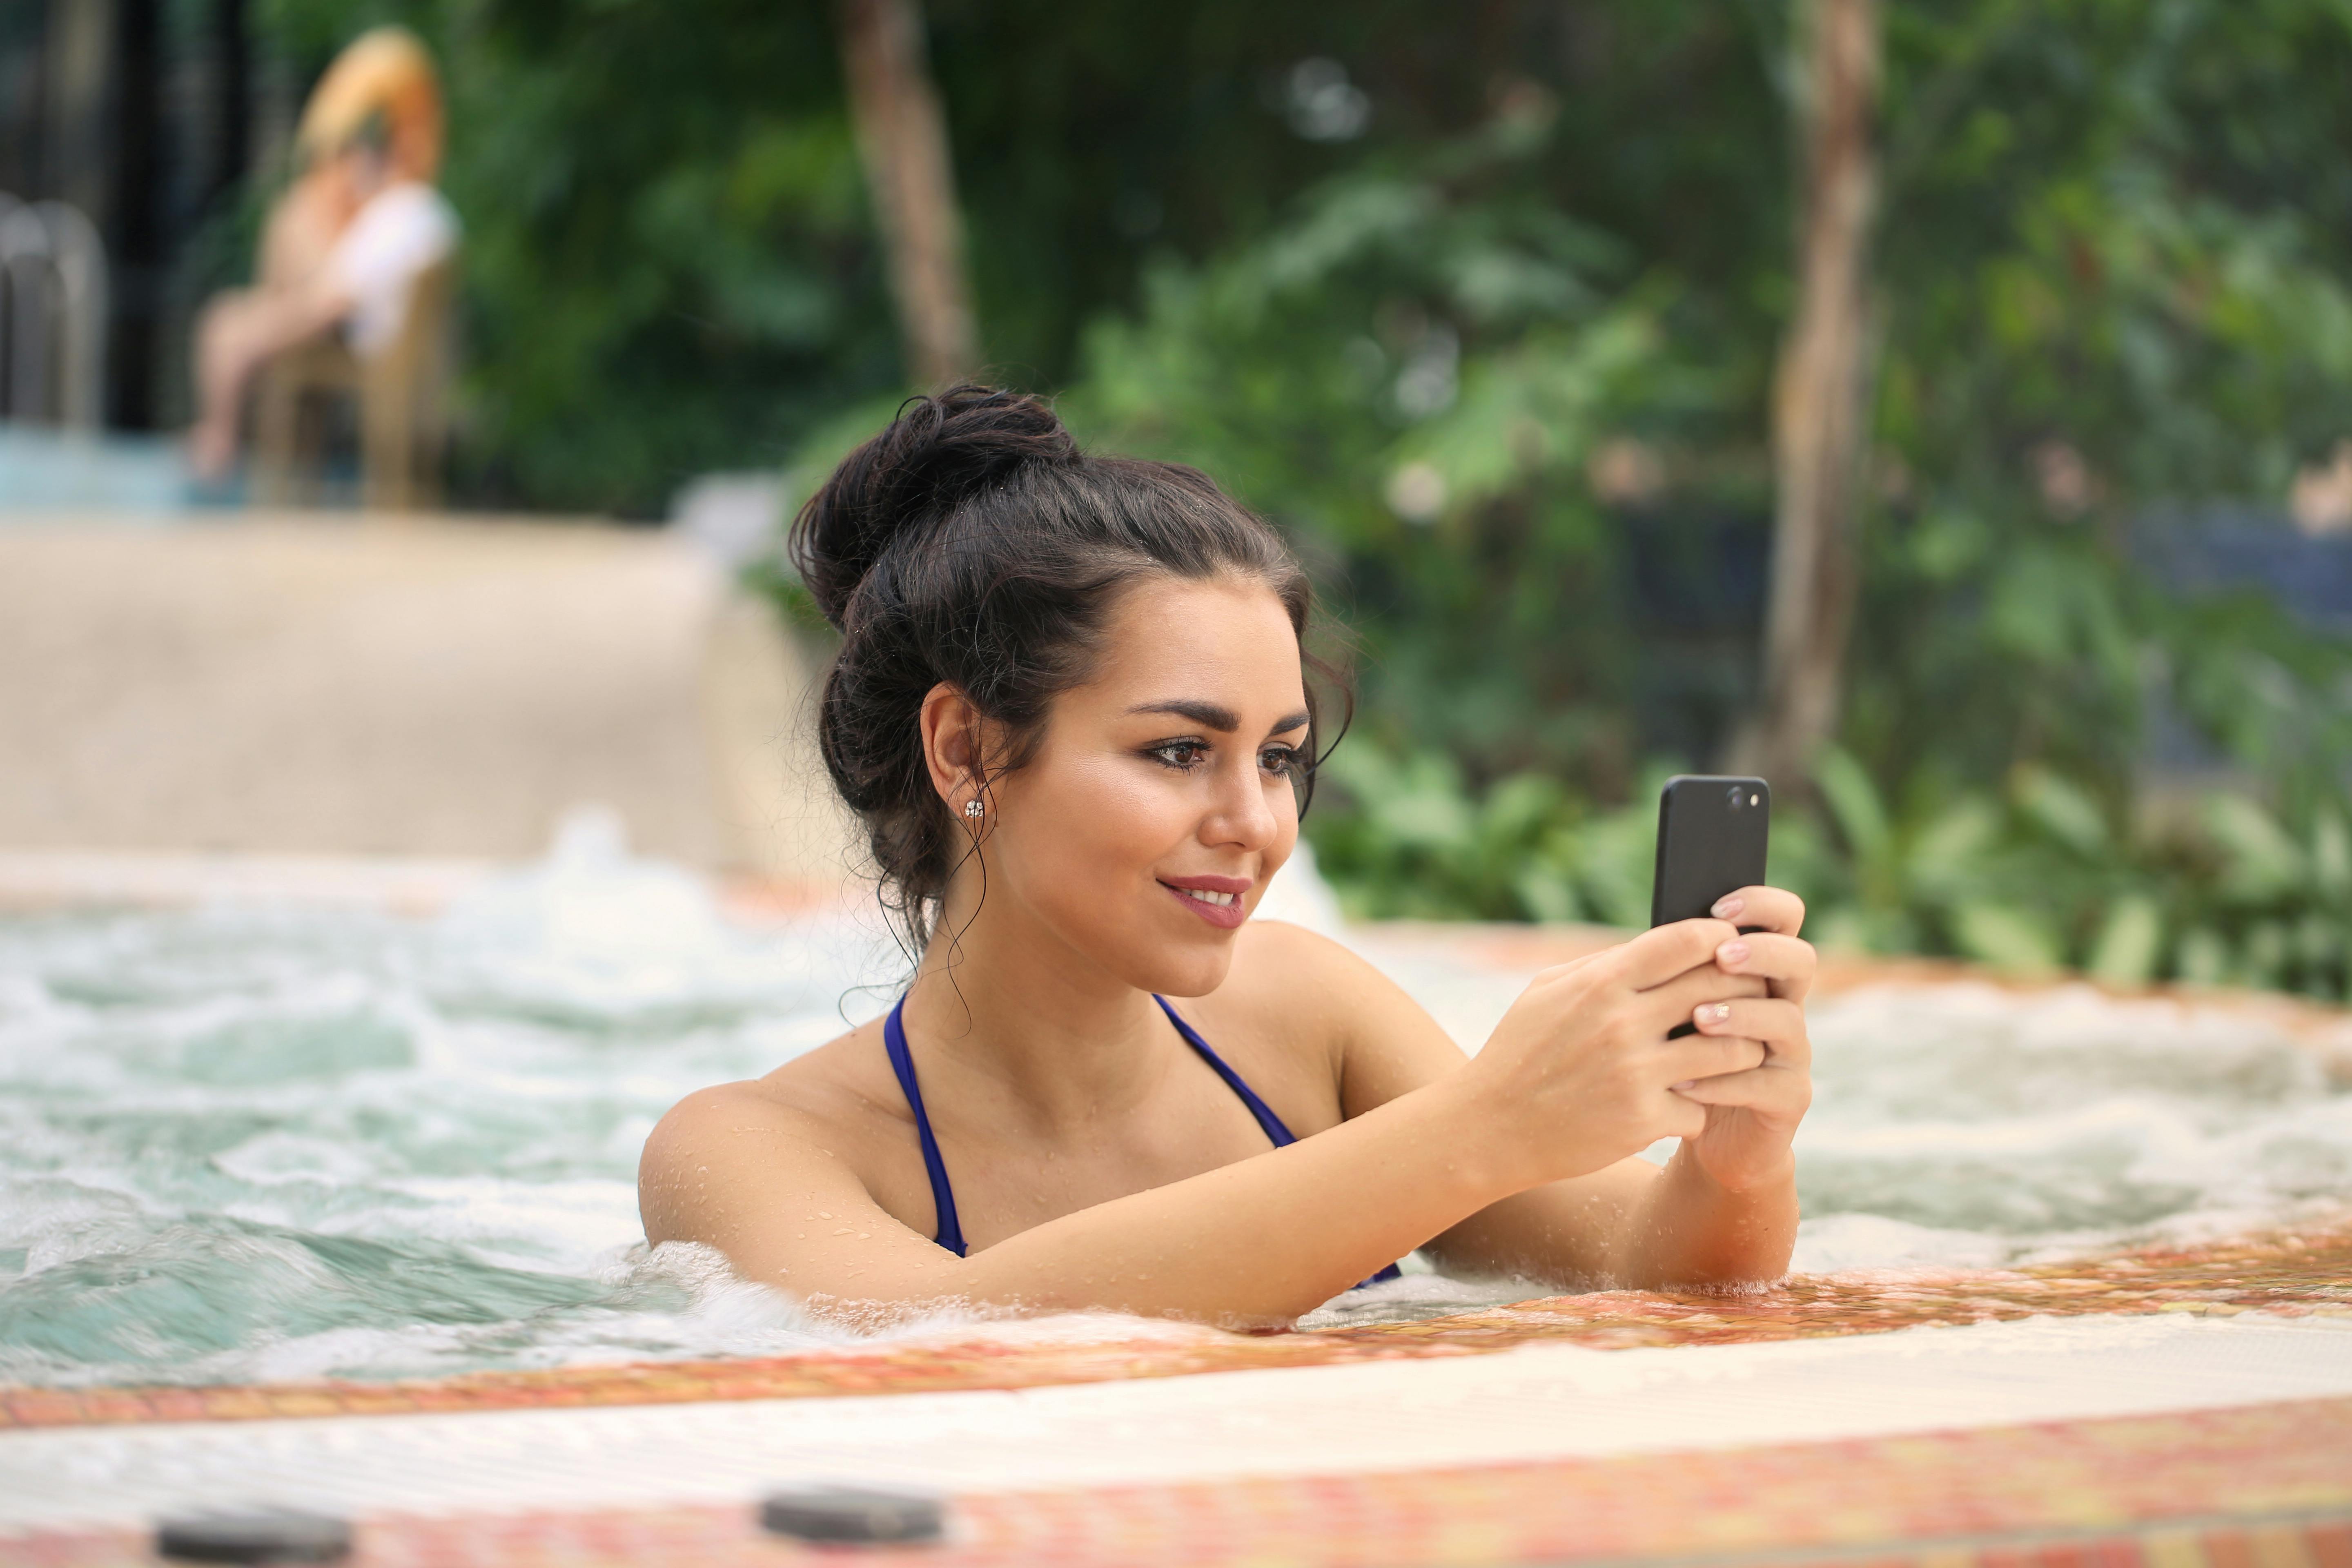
x,y
2290,1275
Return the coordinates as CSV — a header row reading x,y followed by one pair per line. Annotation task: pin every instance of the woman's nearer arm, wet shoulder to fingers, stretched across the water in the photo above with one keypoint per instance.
x,y
1577,1078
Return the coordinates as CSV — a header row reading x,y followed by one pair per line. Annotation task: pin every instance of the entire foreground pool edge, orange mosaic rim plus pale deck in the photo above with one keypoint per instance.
x,y
2179,1409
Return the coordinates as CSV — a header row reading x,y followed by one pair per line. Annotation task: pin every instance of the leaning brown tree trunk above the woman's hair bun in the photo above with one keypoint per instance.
x,y
904,145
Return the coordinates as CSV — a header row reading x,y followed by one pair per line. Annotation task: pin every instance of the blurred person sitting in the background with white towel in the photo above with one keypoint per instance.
x,y
345,246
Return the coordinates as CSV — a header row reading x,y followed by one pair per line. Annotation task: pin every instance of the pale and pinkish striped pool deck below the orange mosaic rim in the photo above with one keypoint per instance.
x,y
2170,1445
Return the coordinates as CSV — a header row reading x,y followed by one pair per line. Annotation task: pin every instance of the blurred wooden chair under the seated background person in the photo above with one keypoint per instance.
x,y
403,401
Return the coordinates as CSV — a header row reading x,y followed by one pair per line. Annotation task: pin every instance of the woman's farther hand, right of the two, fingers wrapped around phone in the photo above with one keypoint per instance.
x,y
1751,1115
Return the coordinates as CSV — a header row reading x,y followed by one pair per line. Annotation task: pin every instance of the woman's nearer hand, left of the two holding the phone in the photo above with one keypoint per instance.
x,y
1582,1071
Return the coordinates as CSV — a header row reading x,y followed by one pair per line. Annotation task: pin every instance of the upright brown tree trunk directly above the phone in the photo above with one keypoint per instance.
x,y
1819,401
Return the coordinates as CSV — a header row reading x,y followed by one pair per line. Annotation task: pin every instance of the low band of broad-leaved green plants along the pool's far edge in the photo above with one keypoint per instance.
x,y
2029,880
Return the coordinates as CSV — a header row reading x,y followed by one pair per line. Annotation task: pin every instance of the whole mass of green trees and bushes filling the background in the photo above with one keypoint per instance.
x,y
1483,309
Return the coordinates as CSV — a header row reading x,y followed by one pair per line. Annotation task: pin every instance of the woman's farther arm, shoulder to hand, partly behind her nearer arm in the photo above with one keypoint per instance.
x,y
1720,1212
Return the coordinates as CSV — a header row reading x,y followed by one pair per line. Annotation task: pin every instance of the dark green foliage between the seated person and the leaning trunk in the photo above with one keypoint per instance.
x,y
667,253
